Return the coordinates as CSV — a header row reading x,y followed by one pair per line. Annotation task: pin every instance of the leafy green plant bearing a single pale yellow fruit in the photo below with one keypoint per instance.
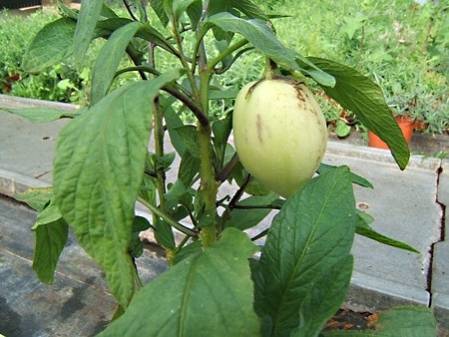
x,y
215,285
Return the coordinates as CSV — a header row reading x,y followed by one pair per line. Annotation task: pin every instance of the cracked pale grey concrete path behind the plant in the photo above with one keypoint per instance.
x,y
404,204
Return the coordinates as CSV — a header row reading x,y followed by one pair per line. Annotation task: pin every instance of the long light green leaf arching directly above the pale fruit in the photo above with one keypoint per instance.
x,y
262,37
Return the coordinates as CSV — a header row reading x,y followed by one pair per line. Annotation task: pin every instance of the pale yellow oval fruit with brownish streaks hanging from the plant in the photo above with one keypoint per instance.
x,y
280,133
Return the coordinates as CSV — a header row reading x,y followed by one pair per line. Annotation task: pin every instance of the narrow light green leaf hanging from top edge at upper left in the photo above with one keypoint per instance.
x,y
85,28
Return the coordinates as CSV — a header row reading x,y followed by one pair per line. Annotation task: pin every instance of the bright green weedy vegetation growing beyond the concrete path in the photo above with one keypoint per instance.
x,y
403,46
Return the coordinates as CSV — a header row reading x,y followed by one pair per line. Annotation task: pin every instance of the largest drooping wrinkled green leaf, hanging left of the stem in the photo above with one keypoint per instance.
x,y
98,171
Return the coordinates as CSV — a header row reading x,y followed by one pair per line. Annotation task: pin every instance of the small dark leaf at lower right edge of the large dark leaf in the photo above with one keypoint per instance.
x,y
325,298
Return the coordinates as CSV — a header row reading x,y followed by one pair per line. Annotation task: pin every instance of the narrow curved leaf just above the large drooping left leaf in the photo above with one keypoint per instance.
x,y
109,59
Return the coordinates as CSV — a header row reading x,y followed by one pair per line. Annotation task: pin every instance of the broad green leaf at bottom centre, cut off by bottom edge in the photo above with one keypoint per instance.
x,y
208,294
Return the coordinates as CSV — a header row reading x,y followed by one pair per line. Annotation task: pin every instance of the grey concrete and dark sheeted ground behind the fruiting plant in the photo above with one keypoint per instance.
x,y
408,206
